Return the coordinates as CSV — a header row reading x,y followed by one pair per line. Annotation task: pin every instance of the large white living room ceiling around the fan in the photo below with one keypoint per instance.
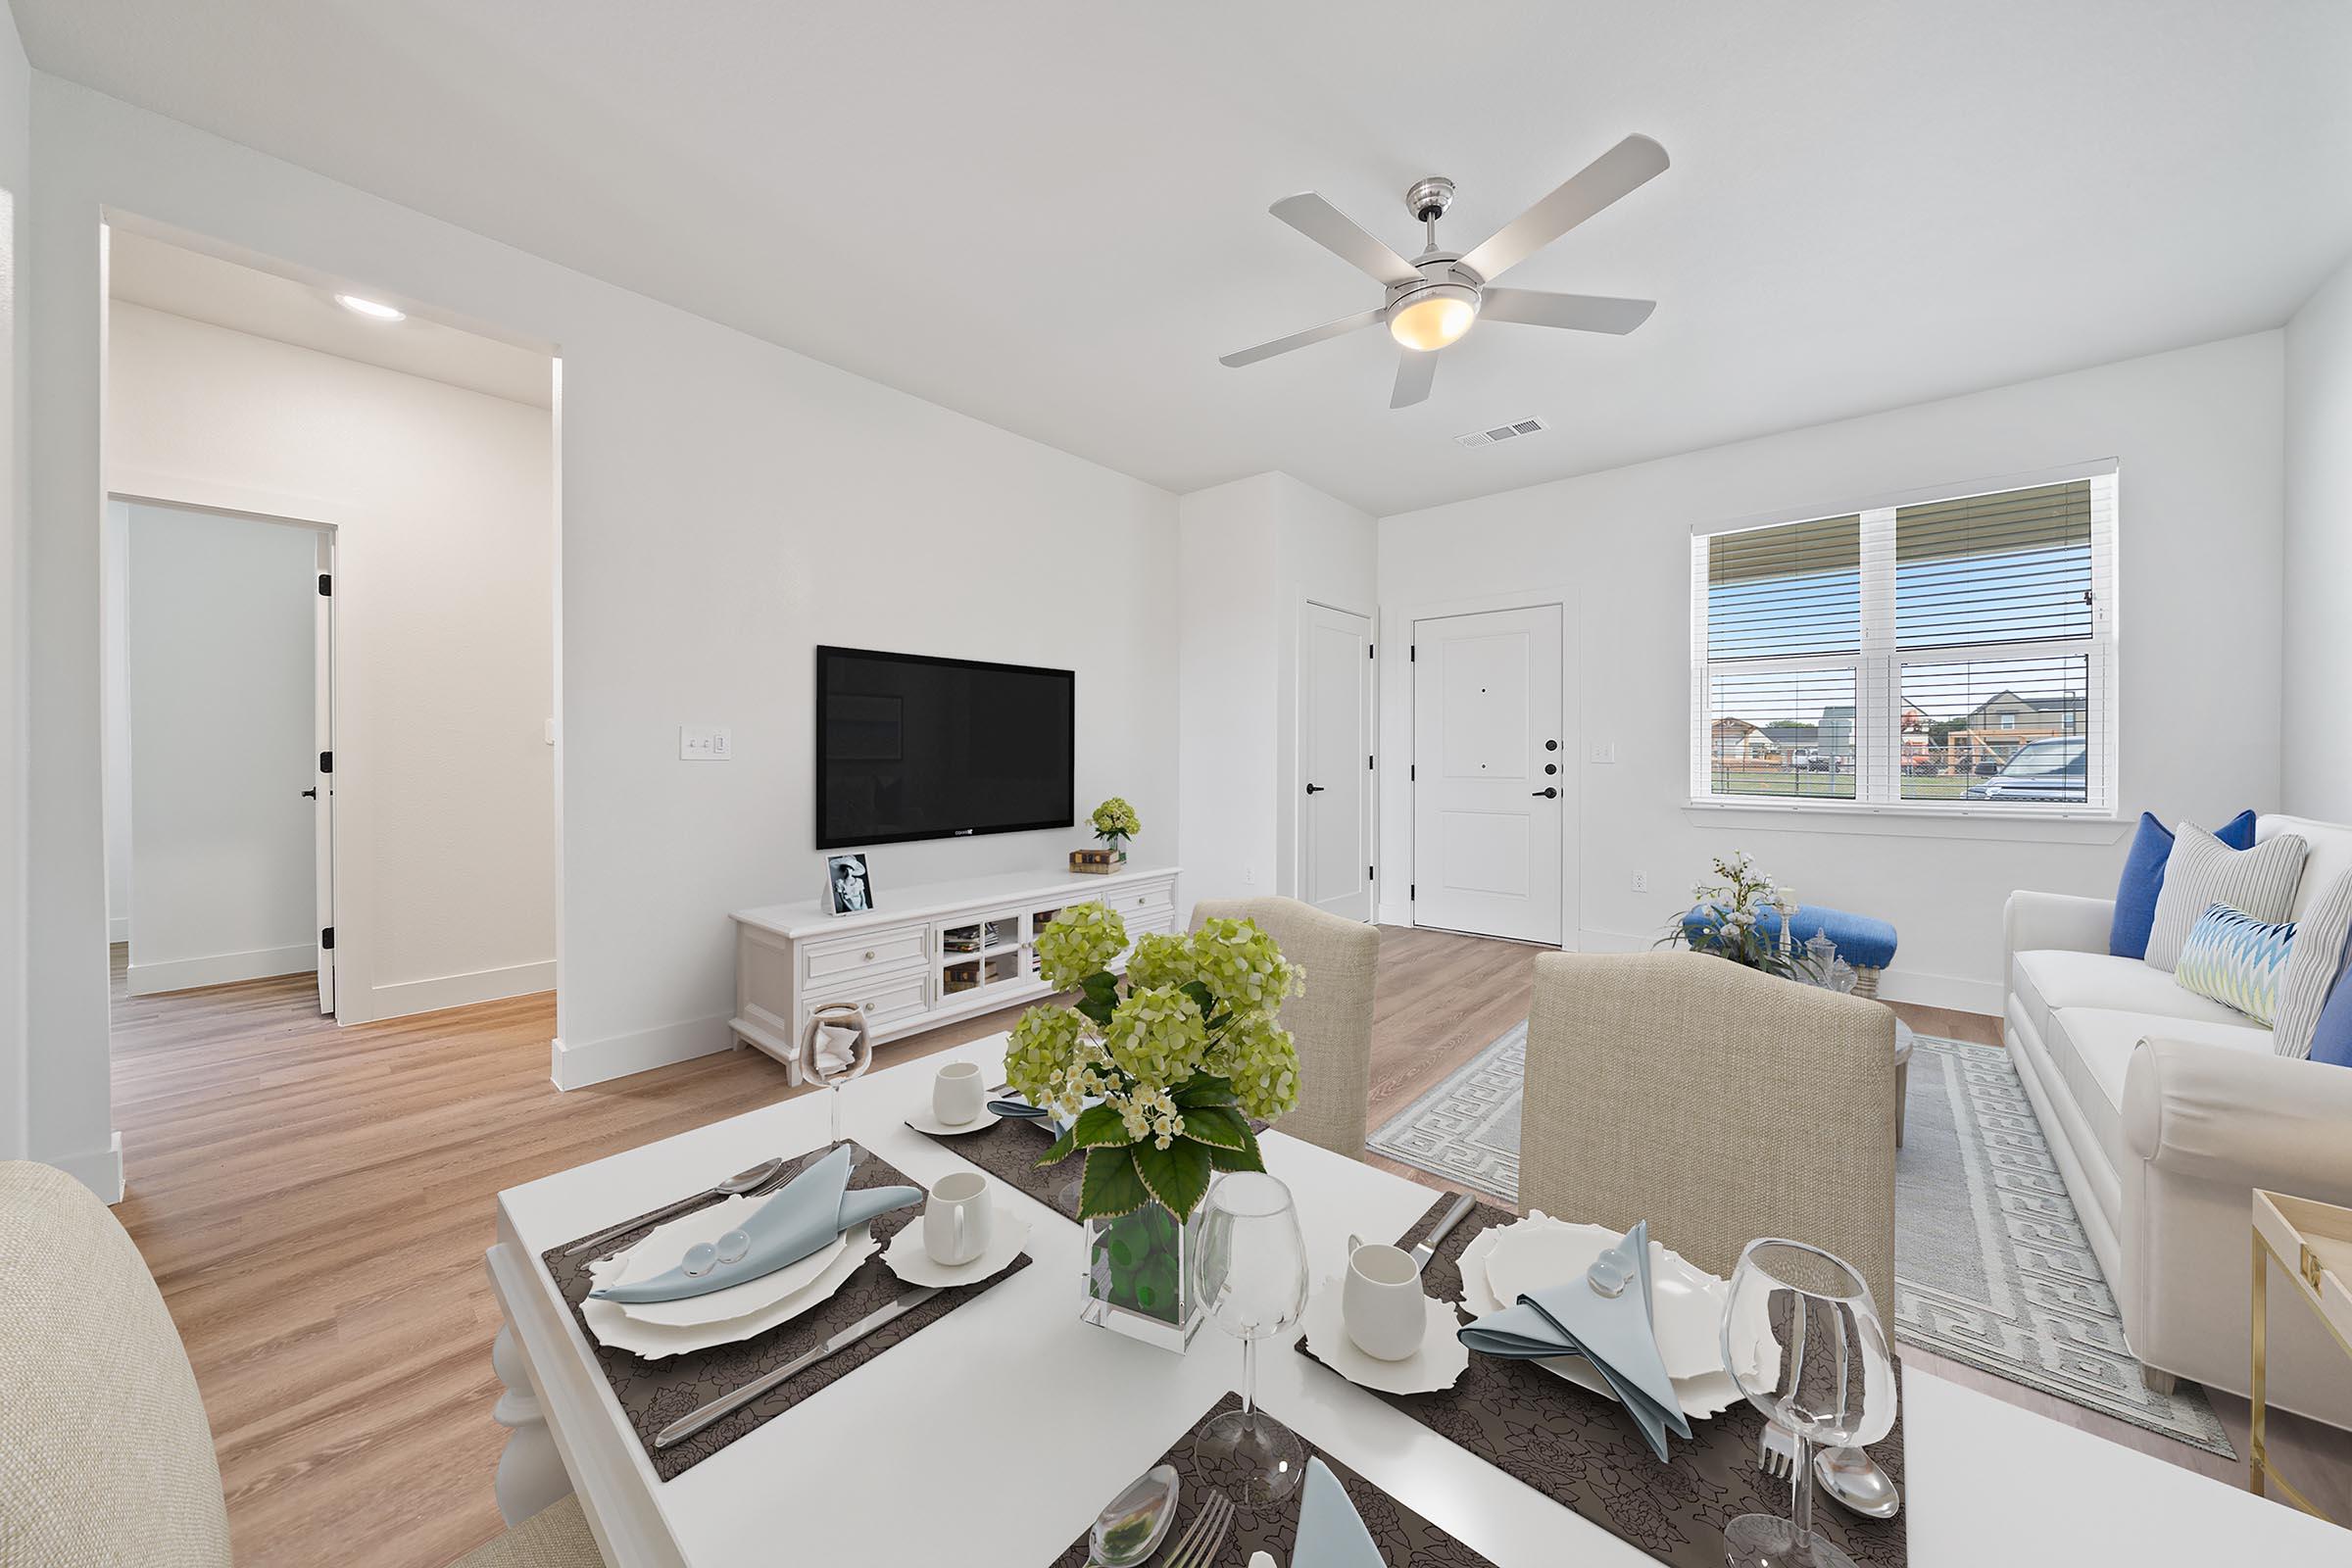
x,y
1055,215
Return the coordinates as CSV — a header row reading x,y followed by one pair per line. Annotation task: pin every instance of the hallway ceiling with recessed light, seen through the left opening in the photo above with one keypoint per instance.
x,y
163,276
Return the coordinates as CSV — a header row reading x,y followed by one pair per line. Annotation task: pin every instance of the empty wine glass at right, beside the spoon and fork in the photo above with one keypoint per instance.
x,y
1805,1343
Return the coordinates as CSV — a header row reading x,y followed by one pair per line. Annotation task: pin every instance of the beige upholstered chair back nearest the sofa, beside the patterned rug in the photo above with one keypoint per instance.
x,y
1716,1104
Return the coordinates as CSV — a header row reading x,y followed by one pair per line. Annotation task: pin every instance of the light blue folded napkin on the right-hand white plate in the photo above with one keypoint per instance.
x,y
1610,1332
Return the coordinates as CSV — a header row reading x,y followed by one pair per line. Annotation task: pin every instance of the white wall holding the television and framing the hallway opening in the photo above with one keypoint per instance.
x,y
726,507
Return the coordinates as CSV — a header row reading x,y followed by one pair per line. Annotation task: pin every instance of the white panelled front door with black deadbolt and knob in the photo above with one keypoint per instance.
x,y
1490,770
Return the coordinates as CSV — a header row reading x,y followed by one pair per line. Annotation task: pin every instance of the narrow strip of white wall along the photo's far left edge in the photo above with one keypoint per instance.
x,y
15,525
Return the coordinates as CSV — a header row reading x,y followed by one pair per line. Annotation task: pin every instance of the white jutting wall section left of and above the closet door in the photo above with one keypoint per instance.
x,y
1252,556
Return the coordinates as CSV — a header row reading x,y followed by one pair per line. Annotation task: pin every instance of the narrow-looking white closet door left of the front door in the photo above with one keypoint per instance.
x,y
1335,760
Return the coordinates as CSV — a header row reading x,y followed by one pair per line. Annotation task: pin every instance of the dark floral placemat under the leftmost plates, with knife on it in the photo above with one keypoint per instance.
x,y
657,1393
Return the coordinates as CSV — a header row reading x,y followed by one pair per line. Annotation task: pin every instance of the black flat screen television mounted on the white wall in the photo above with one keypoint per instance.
x,y
940,749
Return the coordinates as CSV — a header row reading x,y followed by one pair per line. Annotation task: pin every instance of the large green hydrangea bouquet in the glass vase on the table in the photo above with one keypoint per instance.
x,y
1175,1061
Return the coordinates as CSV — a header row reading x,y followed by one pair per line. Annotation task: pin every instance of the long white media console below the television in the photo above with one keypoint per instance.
x,y
933,956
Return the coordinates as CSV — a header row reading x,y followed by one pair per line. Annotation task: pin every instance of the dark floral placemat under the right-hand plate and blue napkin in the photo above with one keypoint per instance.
x,y
1579,1449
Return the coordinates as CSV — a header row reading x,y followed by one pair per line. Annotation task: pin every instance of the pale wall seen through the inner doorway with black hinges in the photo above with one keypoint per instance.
x,y
218,669
